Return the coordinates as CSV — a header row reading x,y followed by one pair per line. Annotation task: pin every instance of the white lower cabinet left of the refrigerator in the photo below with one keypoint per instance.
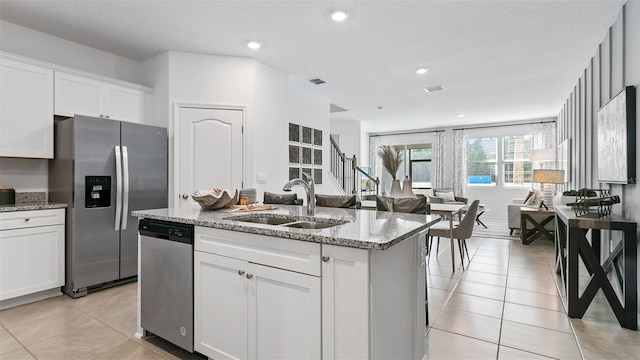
x,y
31,252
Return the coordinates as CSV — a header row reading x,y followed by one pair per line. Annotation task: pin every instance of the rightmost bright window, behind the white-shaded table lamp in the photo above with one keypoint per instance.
x,y
515,159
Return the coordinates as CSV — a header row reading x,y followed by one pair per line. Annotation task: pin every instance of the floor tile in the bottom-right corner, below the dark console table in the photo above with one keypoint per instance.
x,y
606,340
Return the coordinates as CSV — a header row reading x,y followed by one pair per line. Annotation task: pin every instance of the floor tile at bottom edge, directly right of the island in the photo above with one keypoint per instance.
x,y
445,345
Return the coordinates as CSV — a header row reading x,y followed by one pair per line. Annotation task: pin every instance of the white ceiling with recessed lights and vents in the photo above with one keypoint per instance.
x,y
497,60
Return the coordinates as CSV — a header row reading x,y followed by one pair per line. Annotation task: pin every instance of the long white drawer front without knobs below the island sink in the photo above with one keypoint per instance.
x,y
294,255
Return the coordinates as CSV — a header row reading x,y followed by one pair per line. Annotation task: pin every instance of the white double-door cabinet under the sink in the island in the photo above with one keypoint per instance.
x,y
245,310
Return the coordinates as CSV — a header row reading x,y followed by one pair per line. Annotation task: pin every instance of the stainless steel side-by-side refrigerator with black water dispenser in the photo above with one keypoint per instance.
x,y
104,169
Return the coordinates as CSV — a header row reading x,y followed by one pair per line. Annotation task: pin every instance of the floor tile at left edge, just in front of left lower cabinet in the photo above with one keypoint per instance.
x,y
34,311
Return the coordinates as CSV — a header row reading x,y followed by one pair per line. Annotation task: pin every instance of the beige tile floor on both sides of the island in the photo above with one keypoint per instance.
x,y
504,305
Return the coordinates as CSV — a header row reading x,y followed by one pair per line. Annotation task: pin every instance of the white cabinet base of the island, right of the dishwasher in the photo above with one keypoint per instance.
x,y
261,297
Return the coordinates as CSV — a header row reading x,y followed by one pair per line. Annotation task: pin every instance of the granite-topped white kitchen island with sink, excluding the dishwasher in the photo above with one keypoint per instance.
x,y
343,283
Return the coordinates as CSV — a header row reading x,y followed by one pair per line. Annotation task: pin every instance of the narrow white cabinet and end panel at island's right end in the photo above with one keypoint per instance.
x,y
373,301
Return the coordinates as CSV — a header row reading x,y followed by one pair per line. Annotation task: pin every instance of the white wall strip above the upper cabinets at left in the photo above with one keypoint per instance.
x,y
44,47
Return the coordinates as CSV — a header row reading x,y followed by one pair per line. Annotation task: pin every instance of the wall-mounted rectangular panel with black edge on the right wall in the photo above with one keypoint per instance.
x,y
617,139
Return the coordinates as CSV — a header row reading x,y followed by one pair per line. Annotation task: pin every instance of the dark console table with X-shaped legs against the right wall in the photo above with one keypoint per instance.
x,y
571,235
